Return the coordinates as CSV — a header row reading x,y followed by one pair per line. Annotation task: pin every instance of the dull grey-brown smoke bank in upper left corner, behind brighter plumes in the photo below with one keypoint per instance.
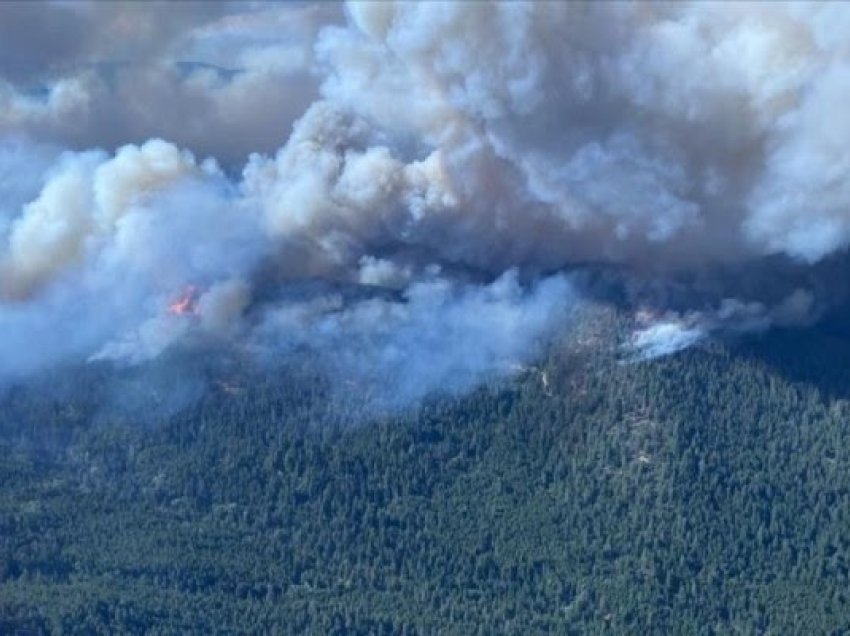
x,y
219,78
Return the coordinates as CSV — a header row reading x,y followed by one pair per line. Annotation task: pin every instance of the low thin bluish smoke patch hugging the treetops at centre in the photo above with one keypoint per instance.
x,y
444,337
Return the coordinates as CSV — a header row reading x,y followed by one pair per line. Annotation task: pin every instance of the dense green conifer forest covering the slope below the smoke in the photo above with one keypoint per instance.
x,y
707,492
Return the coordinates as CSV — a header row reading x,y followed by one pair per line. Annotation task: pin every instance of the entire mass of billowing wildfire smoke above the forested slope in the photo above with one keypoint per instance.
x,y
421,181
